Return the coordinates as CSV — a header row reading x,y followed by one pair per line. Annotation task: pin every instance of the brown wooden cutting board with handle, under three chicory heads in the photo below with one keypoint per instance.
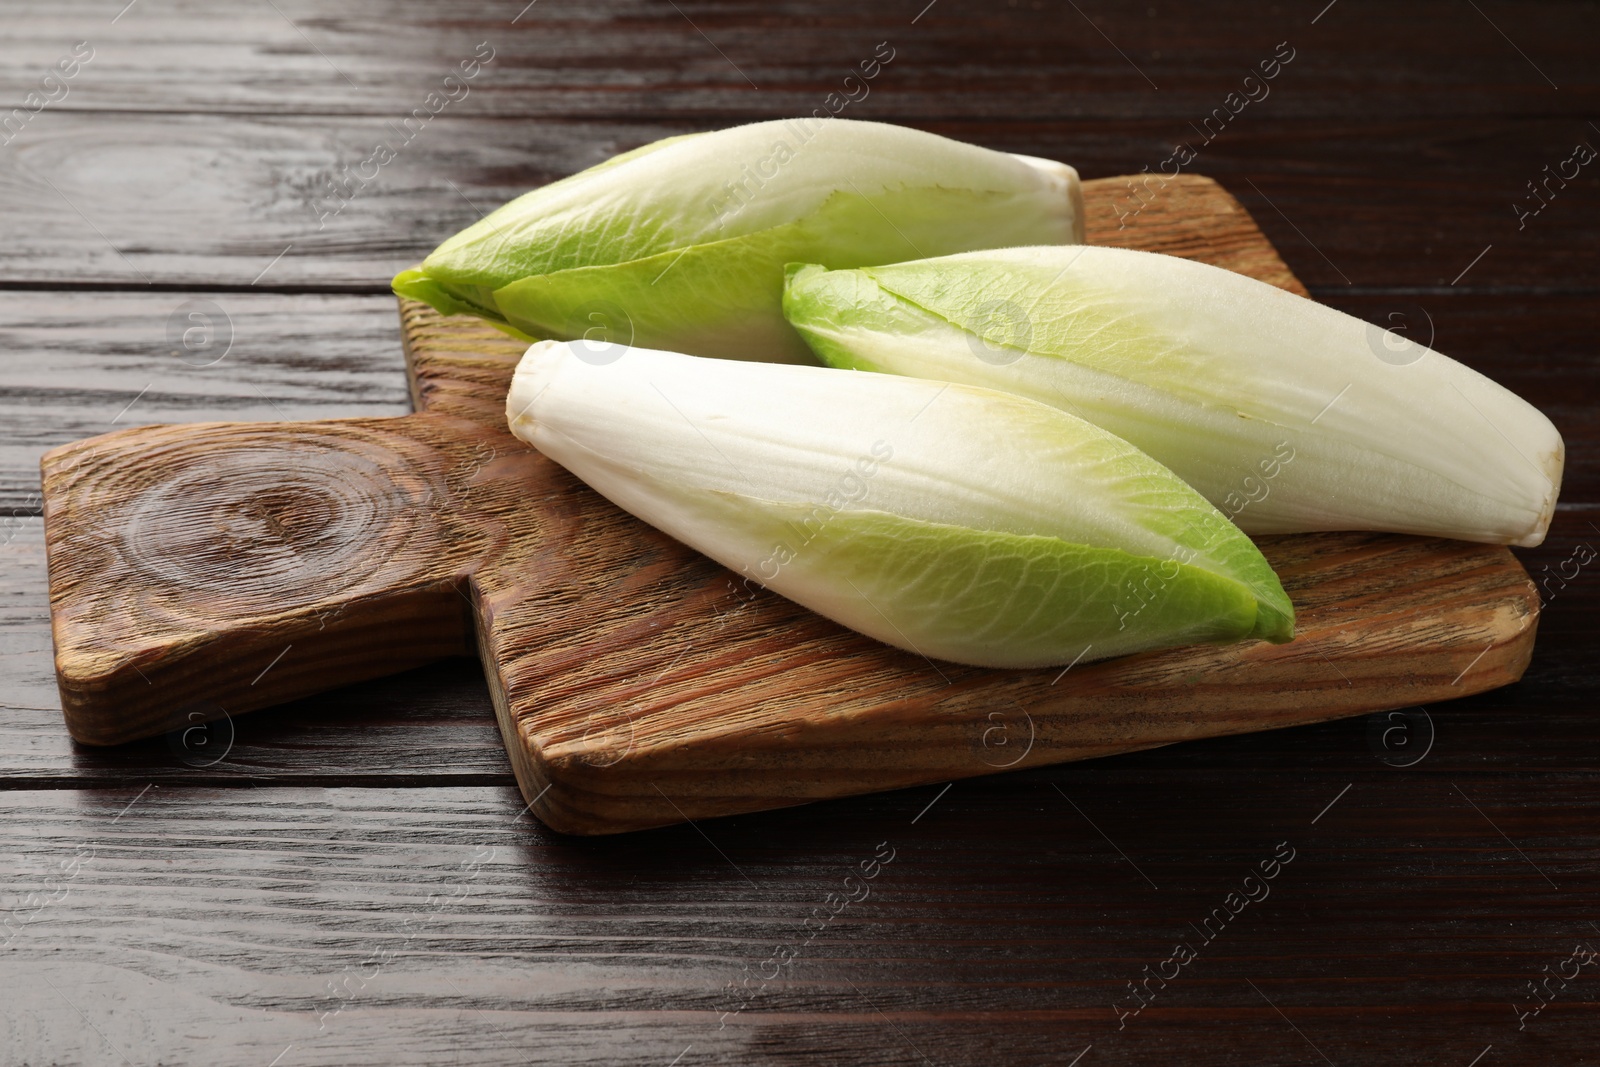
x,y
209,569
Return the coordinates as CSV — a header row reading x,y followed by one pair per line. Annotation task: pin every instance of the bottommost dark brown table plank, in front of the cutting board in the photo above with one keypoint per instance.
x,y
382,925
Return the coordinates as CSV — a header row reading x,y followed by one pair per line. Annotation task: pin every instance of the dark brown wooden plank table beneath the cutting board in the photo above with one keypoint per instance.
x,y
351,879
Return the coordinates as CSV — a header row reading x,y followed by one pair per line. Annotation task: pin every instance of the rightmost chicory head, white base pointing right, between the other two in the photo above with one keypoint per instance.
x,y
1286,414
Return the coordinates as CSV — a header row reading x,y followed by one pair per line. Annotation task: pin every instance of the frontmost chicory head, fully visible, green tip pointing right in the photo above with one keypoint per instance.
x,y
954,522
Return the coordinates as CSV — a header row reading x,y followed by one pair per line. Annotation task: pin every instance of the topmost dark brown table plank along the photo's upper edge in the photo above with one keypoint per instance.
x,y
630,58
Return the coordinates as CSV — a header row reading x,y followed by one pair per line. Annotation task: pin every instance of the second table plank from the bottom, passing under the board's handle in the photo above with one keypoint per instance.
x,y
436,724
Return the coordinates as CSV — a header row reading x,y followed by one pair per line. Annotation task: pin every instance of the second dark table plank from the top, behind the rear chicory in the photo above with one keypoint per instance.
x,y
1369,204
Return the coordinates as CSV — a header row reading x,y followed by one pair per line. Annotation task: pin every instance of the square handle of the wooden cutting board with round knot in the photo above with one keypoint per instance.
x,y
215,569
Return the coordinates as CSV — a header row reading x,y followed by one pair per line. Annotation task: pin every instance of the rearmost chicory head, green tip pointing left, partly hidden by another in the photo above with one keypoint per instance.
x,y
682,244
